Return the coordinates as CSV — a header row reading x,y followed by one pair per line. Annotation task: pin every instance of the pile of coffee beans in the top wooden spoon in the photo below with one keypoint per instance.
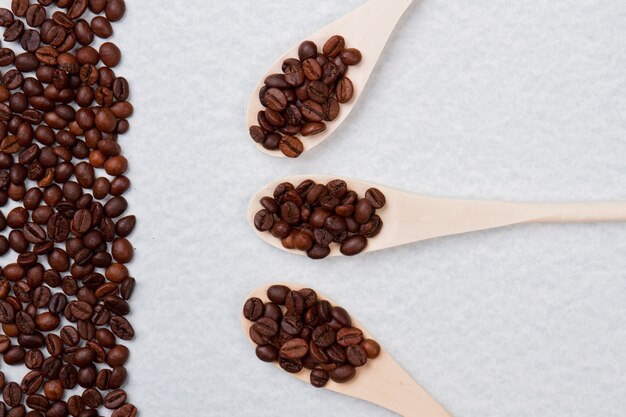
x,y
308,93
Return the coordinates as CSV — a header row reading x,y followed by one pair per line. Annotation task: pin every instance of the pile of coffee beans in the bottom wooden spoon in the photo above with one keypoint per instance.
x,y
300,331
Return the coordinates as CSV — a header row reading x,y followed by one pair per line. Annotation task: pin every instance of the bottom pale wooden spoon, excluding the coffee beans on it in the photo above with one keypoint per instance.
x,y
382,381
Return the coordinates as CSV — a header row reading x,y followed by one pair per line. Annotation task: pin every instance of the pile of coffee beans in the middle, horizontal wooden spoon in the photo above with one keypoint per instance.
x,y
310,217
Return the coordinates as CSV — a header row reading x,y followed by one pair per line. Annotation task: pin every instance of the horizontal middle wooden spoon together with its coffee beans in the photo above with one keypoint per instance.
x,y
321,216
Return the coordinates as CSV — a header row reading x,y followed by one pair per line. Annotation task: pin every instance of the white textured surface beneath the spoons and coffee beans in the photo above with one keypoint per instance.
x,y
520,100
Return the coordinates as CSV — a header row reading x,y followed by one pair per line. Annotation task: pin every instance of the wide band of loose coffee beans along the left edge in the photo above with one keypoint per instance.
x,y
64,298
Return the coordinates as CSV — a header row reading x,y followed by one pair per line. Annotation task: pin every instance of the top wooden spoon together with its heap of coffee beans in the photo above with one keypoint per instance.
x,y
310,90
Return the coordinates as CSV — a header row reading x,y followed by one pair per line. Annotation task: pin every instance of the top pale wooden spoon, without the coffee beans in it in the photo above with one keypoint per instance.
x,y
367,28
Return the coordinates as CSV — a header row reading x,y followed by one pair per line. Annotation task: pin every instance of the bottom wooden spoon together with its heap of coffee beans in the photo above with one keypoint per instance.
x,y
316,341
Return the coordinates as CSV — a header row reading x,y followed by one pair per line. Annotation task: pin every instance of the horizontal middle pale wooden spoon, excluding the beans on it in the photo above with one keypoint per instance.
x,y
409,217
